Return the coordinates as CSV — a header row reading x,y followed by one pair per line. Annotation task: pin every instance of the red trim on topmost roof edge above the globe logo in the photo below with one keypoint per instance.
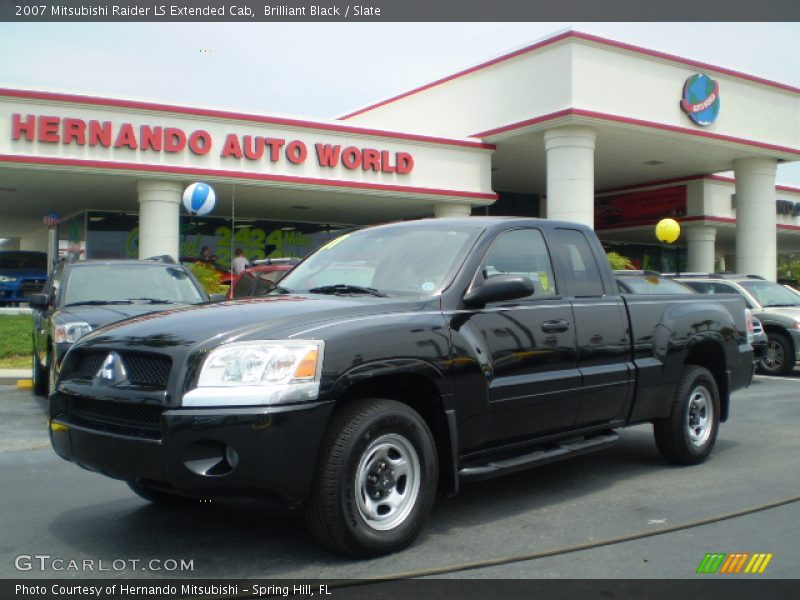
x,y
589,38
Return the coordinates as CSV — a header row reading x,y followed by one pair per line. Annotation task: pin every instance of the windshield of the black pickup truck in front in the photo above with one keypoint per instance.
x,y
401,260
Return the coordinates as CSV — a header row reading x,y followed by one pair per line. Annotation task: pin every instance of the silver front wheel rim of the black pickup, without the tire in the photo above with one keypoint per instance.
x,y
387,482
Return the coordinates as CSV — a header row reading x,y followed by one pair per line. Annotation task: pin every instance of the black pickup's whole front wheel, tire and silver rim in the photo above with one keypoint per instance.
x,y
374,448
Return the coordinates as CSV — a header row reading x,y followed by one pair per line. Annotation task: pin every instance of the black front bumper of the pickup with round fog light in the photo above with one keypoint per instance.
x,y
245,451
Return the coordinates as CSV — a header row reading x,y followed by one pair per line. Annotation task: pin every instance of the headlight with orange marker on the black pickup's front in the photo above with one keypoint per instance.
x,y
267,372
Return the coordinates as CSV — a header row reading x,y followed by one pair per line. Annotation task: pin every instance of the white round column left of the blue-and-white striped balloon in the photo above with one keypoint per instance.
x,y
159,213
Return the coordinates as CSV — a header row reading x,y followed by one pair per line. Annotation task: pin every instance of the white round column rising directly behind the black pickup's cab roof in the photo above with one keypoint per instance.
x,y
570,174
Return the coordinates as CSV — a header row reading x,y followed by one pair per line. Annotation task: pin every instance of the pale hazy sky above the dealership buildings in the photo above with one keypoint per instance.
x,y
323,70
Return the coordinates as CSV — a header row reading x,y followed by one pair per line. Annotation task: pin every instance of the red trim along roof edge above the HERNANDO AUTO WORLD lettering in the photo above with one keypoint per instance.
x,y
222,114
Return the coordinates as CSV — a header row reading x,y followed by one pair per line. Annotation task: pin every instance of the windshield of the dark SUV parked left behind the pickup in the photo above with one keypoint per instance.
x,y
100,284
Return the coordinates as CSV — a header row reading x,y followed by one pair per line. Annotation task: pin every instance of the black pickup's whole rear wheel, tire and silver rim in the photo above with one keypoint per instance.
x,y
688,434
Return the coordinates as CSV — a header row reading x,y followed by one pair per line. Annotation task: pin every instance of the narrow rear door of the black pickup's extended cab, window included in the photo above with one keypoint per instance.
x,y
601,328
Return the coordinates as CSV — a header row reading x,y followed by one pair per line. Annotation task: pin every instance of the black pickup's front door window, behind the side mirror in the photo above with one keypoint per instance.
x,y
521,252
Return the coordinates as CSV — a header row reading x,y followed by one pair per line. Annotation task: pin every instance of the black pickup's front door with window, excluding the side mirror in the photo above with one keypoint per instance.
x,y
531,368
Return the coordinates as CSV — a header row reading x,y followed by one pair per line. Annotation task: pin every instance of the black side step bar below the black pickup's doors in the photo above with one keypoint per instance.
x,y
562,450
